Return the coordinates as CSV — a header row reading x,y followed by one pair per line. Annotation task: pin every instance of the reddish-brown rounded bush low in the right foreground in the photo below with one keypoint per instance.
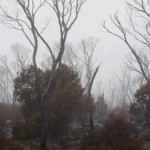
x,y
115,137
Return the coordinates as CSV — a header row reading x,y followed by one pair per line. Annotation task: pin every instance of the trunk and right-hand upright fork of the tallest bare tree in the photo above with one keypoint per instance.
x,y
67,12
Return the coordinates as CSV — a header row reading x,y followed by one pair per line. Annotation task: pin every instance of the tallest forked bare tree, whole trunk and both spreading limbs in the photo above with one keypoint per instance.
x,y
67,12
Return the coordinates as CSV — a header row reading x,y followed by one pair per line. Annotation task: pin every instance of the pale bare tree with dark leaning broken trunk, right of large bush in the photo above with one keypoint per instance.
x,y
87,48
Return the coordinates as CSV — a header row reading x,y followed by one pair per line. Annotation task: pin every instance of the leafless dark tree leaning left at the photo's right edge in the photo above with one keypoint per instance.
x,y
138,13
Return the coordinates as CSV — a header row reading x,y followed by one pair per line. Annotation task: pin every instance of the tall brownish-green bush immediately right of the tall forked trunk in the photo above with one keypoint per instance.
x,y
65,100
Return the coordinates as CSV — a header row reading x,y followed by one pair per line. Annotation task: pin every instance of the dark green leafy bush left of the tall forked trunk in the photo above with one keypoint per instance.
x,y
28,91
